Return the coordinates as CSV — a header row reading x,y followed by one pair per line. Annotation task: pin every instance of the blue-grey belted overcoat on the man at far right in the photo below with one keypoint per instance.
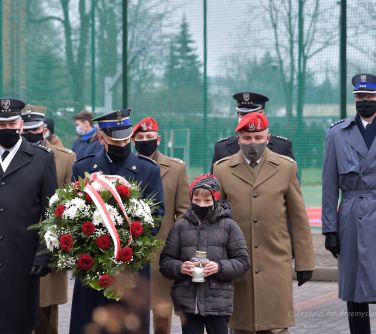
x,y
350,168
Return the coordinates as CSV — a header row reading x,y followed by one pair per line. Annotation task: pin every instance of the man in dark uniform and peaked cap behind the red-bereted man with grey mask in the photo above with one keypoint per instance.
x,y
248,102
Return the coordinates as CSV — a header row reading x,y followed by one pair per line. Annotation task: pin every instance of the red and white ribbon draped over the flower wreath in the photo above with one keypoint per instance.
x,y
99,180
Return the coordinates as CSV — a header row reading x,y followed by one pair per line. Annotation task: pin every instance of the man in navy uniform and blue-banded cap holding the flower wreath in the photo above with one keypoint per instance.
x,y
116,158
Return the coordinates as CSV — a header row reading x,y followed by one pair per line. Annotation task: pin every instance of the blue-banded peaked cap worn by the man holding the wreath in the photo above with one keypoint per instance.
x,y
116,125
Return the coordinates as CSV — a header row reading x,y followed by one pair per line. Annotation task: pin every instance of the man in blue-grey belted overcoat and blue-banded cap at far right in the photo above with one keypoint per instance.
x,y
349,167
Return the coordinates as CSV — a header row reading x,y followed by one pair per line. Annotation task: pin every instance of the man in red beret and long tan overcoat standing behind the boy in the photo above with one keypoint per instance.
x,y
250,181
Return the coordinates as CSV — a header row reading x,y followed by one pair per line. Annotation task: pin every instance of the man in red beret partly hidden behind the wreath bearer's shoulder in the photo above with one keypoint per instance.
x,y
176,199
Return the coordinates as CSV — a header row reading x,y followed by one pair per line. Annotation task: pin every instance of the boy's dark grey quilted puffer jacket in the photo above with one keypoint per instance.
x,y
224,242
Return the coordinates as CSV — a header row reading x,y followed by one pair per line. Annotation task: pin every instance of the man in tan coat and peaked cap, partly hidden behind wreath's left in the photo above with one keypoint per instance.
x,y
53,287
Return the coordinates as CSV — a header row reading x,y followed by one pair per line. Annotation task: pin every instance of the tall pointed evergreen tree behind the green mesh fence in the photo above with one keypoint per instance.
x,y
182,99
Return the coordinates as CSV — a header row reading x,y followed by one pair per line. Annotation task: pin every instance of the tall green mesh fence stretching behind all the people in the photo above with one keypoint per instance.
x,y
185,60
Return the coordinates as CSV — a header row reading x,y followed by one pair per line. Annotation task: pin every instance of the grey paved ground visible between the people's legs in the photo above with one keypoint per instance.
x,y
317,310
